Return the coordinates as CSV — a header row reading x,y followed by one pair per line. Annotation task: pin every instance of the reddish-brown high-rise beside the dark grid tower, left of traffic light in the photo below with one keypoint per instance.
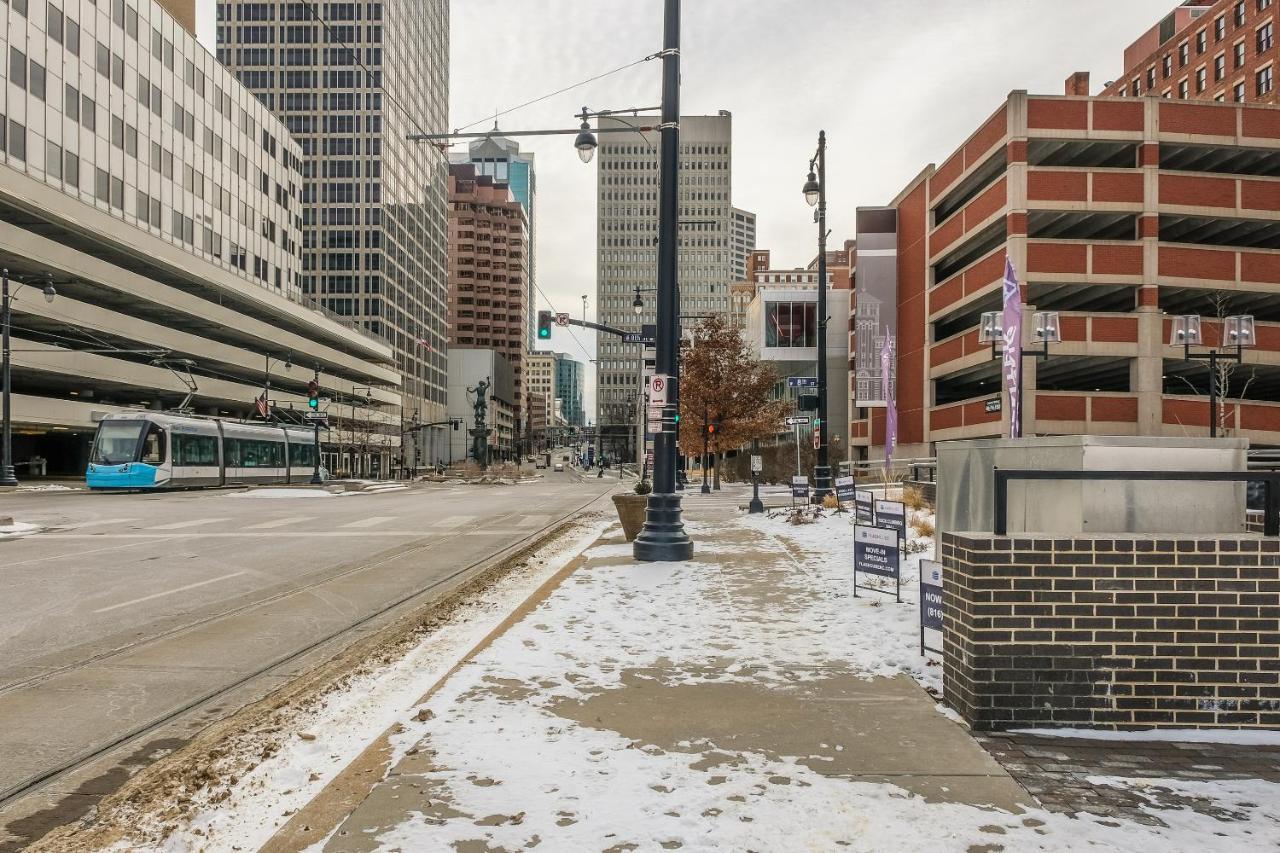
x,y
488,268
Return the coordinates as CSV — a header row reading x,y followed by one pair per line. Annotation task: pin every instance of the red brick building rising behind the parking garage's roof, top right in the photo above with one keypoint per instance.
x,y
1206,52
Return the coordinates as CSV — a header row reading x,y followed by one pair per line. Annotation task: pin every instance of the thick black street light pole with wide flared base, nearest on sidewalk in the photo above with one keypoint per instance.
x,y
664,536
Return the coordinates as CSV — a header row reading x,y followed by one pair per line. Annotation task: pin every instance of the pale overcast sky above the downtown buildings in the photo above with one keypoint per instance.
x,y
897,85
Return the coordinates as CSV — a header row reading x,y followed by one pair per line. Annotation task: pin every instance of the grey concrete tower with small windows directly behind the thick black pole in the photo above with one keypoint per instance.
x,y
628,243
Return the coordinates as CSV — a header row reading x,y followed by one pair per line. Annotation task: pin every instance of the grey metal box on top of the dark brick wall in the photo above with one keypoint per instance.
x,y
967,486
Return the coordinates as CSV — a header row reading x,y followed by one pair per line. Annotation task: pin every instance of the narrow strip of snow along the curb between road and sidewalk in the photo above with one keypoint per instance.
x,y
353,718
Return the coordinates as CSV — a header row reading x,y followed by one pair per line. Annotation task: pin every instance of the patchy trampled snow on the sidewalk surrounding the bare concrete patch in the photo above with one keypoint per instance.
x,y
506,772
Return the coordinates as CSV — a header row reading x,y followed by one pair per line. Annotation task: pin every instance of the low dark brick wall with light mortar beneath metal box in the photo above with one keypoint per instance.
x,y
1113,632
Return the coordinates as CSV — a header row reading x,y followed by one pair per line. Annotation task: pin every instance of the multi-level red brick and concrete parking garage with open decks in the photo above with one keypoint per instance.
x,y
1118,215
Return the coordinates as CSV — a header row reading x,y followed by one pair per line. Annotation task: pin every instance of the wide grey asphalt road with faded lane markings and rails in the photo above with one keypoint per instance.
x,y
131,609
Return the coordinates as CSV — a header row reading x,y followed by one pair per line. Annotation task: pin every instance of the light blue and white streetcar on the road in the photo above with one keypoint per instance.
x,y
156,451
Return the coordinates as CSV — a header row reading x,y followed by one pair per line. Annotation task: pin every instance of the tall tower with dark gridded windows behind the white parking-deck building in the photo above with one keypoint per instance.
x,y
351,81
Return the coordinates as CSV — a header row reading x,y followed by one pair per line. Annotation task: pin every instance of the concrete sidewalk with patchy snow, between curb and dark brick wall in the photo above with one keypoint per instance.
x,y
744,701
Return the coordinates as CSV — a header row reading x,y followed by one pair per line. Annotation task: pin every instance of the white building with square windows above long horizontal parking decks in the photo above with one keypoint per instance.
x,y
162,202
